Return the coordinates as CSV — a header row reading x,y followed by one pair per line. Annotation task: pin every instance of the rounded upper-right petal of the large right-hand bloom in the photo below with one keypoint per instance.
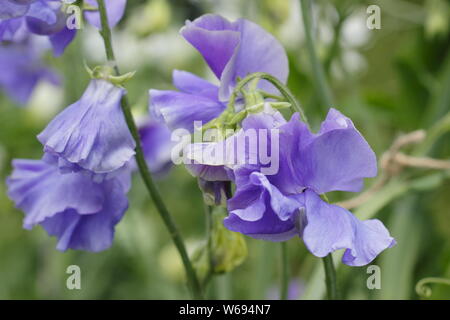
x,y
338,158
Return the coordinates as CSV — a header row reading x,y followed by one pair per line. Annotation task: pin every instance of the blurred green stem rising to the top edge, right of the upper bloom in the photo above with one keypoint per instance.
x,y
323,90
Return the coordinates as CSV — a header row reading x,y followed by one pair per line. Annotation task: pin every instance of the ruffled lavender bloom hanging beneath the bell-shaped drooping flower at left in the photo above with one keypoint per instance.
x,y
82,214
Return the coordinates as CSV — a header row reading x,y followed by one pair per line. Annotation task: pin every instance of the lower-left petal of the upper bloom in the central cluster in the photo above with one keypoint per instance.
x,y
181,110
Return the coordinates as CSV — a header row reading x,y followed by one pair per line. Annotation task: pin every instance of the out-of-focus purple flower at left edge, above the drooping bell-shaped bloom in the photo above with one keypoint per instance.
x,y
22,69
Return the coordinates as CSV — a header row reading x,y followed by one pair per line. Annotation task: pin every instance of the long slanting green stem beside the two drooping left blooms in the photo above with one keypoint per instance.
x,y
143,168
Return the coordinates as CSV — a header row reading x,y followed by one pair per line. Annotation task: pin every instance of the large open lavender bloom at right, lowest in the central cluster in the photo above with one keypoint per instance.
x,y
286,204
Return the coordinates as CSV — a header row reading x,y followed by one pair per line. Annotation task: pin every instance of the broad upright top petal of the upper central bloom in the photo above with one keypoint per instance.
x,y
236,49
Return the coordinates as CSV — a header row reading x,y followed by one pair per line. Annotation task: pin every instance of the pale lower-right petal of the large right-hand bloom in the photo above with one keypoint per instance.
x,y
329,228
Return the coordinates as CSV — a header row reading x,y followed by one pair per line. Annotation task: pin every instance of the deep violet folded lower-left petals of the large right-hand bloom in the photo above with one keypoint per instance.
x,y
259,210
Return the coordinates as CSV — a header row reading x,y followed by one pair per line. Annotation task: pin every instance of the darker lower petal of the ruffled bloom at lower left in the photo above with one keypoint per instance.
x,y
93,232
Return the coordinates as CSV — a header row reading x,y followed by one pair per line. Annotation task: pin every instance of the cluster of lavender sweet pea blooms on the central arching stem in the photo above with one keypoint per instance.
x,y
287,203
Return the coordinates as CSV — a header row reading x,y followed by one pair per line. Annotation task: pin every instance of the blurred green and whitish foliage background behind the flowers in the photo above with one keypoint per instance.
x,y
389,81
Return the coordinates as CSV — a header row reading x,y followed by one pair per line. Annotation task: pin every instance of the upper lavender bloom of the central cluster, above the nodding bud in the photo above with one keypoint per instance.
x,y
232,50
